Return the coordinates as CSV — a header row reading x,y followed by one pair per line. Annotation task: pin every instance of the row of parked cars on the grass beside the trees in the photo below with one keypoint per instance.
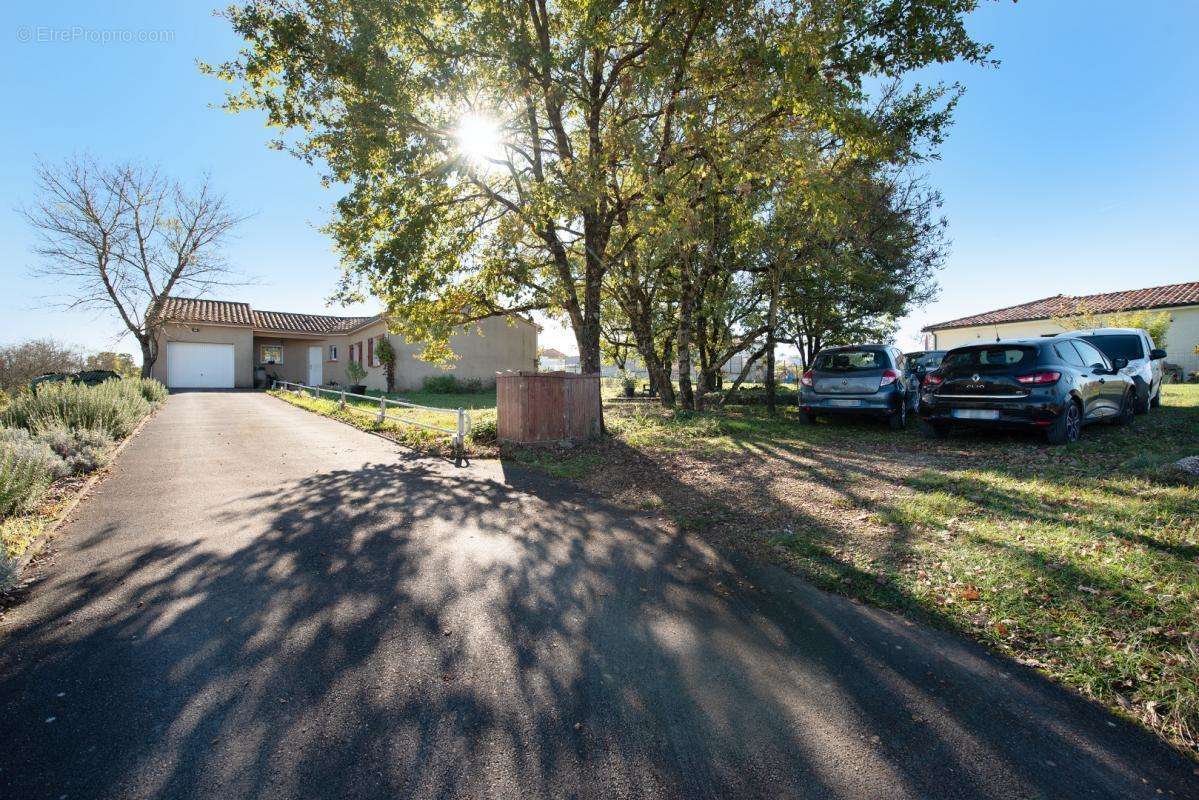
x,y
1056,386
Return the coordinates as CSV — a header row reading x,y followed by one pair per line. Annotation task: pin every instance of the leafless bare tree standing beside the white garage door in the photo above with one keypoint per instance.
x,y
125,238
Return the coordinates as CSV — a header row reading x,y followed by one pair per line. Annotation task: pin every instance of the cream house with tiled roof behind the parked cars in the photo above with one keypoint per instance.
x,y
1035,318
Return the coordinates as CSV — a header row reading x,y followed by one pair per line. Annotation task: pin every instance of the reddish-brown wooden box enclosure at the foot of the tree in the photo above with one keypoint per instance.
x,y
545,407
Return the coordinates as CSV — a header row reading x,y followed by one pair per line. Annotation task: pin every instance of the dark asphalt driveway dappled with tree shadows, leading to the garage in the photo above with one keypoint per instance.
x,y
261,603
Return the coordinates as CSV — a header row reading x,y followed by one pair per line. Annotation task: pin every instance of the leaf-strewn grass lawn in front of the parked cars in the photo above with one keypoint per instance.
x,y
1082,562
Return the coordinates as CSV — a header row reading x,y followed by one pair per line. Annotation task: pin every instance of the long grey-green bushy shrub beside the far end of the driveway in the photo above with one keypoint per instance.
x,y
115,407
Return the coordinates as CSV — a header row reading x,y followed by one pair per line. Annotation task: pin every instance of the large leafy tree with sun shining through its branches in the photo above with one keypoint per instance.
x,y
509,157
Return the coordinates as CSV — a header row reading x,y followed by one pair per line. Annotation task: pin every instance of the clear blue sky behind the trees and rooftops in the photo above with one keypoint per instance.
x,y
1073,167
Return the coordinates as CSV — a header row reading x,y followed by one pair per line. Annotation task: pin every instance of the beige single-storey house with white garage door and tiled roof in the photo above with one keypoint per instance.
x,y
219,345
